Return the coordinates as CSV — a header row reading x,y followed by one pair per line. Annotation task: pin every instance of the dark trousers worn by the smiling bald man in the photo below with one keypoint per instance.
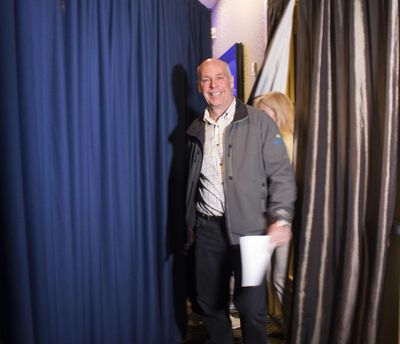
x,y
216,260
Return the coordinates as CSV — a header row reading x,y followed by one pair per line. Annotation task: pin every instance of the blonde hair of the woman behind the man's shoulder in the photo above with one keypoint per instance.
x,y
283,108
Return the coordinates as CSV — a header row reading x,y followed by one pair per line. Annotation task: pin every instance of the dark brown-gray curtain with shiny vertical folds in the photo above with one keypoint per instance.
x,y
347,113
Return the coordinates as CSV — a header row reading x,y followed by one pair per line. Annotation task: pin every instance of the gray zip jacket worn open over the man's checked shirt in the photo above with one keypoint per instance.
x,y
258,179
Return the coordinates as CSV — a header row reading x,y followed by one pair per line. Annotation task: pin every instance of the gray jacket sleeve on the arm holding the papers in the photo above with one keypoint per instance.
x,y
279,173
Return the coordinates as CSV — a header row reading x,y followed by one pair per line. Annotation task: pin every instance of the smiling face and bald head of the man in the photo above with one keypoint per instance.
x,y
216,85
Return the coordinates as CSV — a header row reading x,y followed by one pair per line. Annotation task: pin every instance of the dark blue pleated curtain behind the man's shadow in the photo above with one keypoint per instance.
x,y
94,104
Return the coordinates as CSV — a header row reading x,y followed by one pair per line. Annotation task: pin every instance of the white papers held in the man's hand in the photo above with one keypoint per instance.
x,y
256,254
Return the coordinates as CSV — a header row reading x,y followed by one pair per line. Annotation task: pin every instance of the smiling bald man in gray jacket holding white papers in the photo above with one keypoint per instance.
x,y
240,182
